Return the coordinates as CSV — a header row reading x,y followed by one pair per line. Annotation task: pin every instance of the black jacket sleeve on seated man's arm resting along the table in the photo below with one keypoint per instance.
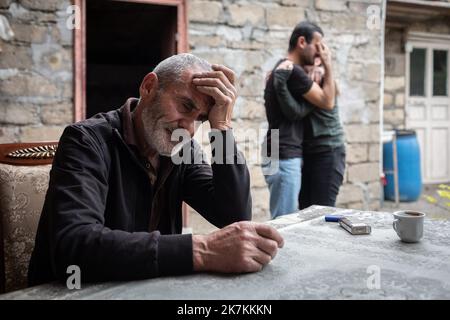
x,y
76,203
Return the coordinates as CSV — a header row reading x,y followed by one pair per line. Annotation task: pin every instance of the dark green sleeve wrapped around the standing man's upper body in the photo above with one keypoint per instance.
x,y
292,108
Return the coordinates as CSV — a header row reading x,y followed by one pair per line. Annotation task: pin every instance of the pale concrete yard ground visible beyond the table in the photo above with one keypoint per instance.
x,y
200,226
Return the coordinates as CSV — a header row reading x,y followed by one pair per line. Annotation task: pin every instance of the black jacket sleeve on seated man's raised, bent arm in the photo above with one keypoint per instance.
x,y
220,192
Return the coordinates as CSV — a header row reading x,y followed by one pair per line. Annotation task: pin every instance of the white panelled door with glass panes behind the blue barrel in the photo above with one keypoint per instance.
x,y
428,105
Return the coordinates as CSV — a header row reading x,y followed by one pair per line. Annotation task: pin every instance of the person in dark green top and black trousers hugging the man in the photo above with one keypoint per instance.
x,y
323,143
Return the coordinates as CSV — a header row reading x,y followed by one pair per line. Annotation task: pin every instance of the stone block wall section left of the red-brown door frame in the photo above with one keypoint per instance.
x,y
36,94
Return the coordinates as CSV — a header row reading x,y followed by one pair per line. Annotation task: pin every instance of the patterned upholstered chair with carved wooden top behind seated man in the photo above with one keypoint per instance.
x,y
24,174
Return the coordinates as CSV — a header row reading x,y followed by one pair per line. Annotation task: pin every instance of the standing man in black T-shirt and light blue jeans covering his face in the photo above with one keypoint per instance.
x,y
305,46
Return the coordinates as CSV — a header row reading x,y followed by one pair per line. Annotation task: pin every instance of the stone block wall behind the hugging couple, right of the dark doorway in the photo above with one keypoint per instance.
x,y
250,36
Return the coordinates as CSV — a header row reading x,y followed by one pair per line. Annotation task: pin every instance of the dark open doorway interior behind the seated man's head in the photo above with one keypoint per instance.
x,y
124,42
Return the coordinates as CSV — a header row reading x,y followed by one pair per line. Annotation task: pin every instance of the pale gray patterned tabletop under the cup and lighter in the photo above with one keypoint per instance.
x,y
320,260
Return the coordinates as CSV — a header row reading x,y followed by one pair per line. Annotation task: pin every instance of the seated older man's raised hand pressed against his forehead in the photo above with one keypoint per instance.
x,y
218,84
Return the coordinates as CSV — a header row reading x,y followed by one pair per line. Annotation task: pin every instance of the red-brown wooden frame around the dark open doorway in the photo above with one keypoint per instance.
x,y
79,45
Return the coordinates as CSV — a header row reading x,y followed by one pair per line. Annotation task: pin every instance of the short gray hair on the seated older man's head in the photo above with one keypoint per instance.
x,y
171,69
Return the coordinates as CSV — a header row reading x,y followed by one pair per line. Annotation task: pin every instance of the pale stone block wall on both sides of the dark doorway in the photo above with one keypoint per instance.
x,y
36,89
